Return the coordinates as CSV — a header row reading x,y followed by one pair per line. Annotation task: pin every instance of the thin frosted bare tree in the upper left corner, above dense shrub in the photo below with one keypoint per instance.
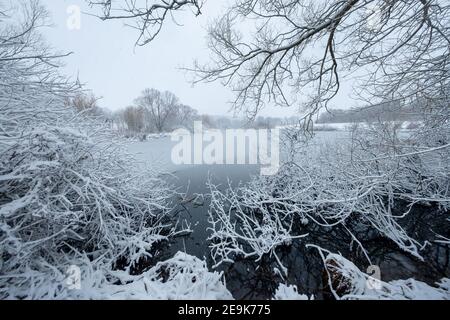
x,y
28,71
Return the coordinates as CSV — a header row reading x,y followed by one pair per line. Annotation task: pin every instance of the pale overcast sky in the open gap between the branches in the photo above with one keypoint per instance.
x,y
106,60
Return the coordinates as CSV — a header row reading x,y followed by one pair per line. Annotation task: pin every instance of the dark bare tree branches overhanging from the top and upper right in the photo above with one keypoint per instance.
x,y
302,48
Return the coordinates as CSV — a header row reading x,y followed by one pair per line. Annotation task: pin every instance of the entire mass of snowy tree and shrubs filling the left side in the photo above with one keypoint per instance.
x,y
65,187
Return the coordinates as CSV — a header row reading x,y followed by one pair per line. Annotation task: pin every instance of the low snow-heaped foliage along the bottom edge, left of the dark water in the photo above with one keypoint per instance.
x,y
181,277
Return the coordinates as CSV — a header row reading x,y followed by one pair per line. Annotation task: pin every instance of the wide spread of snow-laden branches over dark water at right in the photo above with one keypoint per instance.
x,y
372,178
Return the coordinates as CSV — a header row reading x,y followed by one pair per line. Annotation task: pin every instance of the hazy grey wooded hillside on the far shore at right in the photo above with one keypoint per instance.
x,y
388,111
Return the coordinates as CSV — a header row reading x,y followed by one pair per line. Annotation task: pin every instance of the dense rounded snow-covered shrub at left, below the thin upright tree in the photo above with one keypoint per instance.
x,y
61,189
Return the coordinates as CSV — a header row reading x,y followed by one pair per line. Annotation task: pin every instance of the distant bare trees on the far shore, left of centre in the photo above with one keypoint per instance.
x,y
157,112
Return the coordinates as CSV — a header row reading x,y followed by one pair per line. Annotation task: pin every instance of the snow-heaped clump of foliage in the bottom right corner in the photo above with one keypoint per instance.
x,y
347,282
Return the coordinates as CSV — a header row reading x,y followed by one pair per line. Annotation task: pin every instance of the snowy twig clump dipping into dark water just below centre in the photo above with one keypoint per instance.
x,y
245,230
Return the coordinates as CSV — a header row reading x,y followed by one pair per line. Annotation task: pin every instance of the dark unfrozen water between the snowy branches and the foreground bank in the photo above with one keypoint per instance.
x,y
249,280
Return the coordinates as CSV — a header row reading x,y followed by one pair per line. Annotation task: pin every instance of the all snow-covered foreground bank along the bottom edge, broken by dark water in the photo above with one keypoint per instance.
x,y
185,277
